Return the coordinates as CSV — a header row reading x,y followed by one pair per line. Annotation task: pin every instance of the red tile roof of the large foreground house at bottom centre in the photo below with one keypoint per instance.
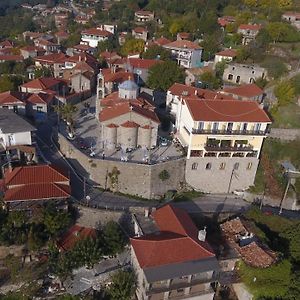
x,y
176,242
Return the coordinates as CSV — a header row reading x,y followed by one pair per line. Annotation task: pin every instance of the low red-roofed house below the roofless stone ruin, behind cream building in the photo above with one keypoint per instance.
x,y
245,92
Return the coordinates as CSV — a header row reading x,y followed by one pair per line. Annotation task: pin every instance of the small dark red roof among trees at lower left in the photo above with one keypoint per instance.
x,y
75,234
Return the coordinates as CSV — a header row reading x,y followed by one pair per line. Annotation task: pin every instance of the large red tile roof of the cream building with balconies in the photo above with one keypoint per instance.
x,y
226,110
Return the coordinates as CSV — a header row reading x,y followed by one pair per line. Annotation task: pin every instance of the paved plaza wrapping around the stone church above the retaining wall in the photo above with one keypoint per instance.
x,y
88,139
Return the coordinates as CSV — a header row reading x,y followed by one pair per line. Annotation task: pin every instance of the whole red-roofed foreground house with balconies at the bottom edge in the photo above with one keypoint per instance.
x,y
172,259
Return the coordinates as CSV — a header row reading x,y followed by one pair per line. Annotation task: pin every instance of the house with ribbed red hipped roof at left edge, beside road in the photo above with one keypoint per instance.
x,y
28,187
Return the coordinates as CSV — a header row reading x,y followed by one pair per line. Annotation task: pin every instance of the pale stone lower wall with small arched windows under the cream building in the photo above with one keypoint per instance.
x,y
216,180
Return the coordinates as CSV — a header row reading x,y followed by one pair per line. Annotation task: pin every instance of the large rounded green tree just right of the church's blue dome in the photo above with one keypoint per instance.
x,y
163,75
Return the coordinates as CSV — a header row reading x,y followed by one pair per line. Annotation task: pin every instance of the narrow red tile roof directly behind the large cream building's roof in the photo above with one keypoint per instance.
x,y
179,89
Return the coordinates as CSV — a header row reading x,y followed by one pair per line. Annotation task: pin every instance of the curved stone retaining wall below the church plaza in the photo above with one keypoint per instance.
x,y
135,179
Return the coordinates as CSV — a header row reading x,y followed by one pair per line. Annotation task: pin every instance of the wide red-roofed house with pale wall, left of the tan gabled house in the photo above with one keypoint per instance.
x,y
44,84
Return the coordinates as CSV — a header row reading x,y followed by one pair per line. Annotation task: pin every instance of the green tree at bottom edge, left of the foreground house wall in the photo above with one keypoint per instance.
x,y
123,285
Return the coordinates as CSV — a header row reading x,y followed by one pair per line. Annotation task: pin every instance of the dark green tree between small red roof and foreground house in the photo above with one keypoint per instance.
x,y
114,239
